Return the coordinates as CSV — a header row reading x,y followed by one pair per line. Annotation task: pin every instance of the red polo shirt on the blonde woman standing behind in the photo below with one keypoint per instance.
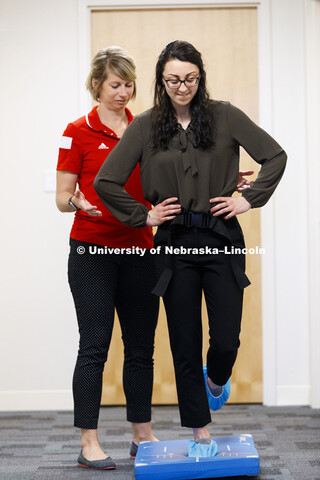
x,y
85,145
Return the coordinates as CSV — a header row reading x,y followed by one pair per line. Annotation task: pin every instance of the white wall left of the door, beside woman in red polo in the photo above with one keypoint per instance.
x,y
39,96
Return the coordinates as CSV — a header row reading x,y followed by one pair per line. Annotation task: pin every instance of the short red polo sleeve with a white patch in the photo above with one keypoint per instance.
x,y
70,151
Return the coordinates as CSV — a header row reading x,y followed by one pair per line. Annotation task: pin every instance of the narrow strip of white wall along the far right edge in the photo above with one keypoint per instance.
x,y
312,13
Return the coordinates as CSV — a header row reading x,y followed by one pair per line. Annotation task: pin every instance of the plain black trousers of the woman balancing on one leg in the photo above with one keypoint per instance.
x,y
193,274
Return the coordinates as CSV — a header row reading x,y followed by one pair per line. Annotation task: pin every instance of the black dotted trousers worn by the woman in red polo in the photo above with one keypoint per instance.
x,y
101,283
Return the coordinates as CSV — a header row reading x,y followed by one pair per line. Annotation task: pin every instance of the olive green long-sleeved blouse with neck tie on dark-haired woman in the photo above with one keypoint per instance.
x,y
193,175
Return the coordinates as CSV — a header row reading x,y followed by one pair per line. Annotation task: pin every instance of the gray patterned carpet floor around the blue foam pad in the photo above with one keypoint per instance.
x,y
45,446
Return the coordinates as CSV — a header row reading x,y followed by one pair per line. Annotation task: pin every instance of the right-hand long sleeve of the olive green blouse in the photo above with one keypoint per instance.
x,y
264,150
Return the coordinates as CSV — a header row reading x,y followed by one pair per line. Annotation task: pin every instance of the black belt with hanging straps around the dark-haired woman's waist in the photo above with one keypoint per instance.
x,y
229,229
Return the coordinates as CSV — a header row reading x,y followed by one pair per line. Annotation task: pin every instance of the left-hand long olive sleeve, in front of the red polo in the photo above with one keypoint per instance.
x,y
115,172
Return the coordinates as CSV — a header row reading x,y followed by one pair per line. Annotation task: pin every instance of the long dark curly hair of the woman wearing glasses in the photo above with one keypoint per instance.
x,y
164,122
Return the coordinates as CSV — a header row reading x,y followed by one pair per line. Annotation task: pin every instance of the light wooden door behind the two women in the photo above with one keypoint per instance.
x,y
227,39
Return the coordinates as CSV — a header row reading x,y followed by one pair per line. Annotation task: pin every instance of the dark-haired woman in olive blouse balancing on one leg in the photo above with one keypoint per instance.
x,y
188,149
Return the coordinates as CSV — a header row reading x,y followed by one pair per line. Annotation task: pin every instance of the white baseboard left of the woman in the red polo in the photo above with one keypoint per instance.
x,y
29,400
